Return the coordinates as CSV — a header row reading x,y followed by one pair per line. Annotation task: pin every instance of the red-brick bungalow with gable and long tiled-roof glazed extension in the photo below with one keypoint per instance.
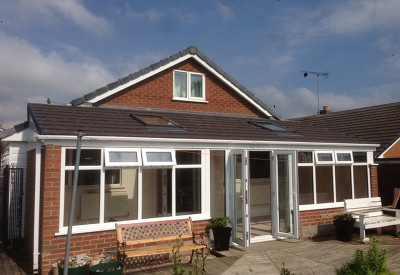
x,y
180,138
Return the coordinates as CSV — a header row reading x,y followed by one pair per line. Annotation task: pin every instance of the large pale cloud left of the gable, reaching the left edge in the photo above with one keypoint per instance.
x,y
32,75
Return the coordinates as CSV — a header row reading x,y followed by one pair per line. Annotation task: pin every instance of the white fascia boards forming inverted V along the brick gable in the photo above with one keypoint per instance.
x,y
173,63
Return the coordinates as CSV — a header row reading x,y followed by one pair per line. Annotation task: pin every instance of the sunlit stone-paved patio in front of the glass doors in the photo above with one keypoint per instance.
x,y
299,256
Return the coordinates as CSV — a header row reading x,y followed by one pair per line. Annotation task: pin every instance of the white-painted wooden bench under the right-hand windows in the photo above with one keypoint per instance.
x,y
369,213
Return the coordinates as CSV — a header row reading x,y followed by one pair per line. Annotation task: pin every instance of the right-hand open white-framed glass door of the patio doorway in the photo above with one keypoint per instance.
x,y
285,195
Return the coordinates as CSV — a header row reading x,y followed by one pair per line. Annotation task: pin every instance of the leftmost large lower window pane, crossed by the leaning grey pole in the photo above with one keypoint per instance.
x,y
87,202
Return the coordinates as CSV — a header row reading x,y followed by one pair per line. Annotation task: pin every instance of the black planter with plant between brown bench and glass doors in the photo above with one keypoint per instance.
x,y
221,232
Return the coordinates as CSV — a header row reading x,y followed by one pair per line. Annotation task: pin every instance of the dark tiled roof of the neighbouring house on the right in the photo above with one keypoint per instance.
x,y
379,124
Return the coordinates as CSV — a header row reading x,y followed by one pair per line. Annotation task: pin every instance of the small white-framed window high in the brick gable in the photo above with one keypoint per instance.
x,y
189,86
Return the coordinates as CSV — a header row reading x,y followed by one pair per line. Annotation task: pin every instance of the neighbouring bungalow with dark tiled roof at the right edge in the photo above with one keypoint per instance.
x,y
379,124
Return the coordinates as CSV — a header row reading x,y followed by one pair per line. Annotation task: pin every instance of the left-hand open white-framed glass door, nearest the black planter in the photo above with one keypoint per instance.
x,y
240,189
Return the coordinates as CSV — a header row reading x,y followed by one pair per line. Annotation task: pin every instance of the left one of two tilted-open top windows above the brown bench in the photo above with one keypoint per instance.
x,y
122,157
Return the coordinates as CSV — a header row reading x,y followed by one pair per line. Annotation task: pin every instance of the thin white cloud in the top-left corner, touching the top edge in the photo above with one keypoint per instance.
x,y
22,13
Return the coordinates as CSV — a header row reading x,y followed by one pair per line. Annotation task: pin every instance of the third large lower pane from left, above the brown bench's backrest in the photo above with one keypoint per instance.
x,y
156,197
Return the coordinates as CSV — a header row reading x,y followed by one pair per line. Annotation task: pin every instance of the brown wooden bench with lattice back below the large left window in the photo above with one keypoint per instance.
x,y
157,238
